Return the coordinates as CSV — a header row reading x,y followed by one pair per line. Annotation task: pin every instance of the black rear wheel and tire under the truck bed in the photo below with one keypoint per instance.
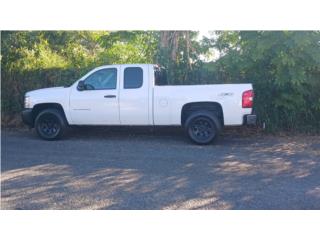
x,y
203,127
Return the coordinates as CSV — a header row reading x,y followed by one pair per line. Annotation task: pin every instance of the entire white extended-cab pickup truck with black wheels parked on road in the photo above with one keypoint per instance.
x,y
138,95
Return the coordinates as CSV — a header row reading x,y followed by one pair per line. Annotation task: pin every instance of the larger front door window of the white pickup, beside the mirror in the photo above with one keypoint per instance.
x,y
102,79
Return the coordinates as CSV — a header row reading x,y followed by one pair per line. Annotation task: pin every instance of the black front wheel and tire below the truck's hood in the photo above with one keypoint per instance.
x,y
50,124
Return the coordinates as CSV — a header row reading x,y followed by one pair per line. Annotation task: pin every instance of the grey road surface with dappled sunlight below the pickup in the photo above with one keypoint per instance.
x,y
98,168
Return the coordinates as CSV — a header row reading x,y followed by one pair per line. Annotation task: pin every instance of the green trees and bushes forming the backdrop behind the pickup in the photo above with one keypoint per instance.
x,y
284,66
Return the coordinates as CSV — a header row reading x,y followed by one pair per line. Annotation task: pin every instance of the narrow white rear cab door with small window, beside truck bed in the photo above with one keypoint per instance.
x,y
134,95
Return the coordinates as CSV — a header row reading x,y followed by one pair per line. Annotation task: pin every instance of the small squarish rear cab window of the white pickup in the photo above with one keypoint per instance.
x,y
133,77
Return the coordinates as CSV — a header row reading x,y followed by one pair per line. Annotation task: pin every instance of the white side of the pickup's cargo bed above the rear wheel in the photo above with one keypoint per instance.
x,y
169,101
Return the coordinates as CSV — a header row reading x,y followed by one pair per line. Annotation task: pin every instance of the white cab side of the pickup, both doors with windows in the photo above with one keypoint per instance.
x,y
112,95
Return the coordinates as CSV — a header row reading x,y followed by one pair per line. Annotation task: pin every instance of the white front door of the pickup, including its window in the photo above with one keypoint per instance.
x,y
98,103
